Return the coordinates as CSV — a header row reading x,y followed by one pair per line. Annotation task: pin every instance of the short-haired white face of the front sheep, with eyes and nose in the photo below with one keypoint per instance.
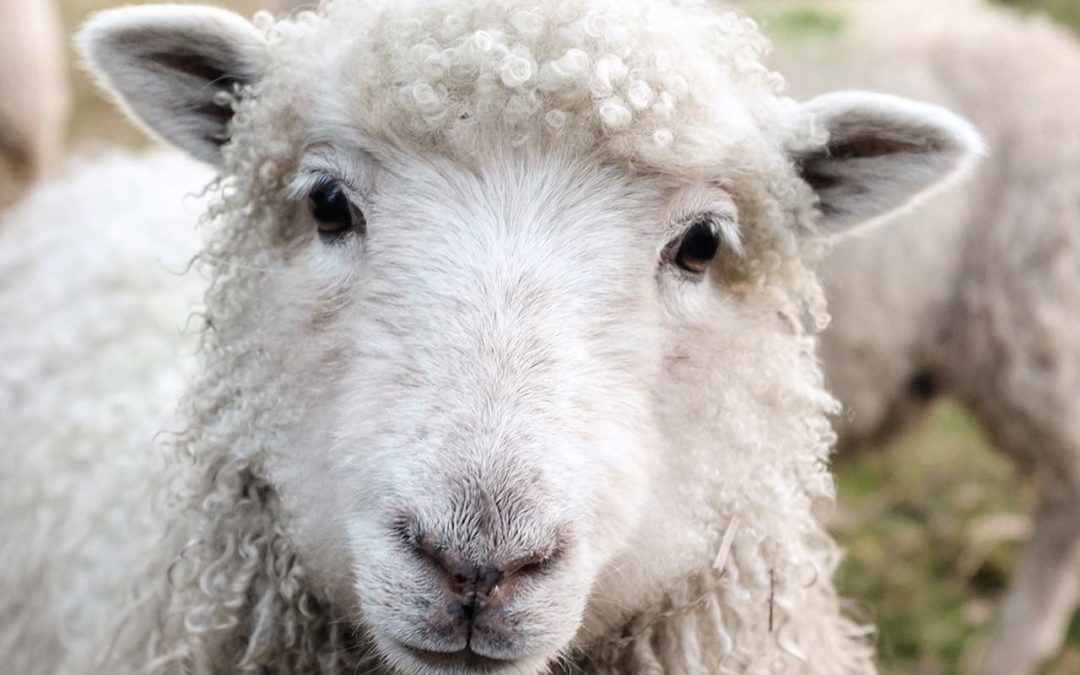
x,y
481,355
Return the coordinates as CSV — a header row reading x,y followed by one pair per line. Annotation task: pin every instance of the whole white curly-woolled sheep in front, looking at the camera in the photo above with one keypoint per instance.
x,y
508,352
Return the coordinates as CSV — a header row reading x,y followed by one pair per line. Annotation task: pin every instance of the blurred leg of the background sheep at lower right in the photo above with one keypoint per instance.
x,y
1037,610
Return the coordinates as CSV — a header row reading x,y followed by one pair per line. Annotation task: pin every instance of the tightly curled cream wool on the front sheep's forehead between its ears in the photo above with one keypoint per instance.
x,y
674,86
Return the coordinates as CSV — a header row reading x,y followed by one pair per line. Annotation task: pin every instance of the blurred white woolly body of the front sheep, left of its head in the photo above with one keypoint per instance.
x,y
97,347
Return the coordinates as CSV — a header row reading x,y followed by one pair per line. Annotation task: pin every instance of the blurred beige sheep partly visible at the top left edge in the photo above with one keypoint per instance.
x,y
34,93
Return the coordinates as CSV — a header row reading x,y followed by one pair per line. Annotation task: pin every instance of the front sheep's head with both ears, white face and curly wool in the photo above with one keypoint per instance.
x,y
511,301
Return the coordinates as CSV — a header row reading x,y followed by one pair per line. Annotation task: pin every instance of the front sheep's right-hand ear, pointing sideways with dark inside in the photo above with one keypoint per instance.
x,y
883,154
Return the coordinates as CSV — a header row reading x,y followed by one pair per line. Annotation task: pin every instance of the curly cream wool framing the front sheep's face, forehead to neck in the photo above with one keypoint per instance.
x,y
225,590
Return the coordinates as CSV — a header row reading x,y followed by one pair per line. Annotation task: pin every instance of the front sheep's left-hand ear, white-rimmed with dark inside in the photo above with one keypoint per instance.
x,y
172,67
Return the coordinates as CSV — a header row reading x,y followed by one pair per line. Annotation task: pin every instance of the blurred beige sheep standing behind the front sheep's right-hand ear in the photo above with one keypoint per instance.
x,y
976,294
